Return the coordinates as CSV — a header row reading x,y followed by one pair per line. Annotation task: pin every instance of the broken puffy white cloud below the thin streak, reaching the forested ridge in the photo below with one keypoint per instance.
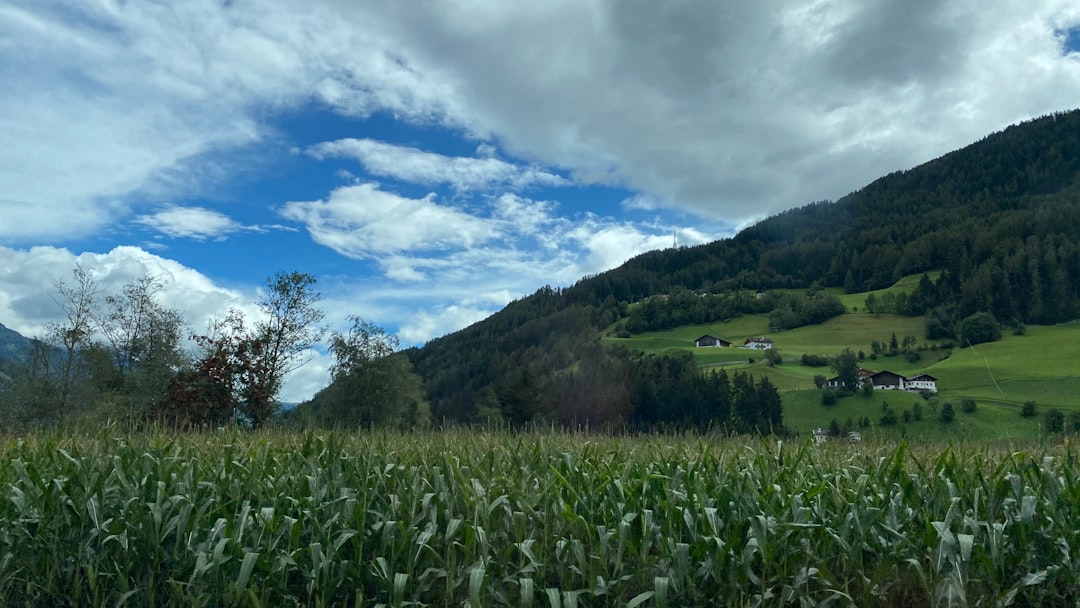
x,y
431,293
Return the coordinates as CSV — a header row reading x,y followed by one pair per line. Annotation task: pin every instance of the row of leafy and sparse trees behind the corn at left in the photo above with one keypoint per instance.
x,y
128,358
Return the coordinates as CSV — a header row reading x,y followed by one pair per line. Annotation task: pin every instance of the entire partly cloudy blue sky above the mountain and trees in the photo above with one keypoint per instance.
x,y
430,161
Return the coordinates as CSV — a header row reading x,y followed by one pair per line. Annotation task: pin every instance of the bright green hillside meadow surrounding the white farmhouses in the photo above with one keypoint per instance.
x,y
1043,366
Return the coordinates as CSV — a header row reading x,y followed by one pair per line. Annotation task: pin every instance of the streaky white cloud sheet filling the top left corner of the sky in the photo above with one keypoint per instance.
x,y
121,105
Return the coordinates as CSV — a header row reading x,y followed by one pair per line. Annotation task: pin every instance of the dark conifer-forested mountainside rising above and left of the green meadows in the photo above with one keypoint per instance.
x,y
1001,219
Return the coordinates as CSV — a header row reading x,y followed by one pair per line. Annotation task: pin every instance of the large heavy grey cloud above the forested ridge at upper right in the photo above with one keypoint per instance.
x,y
732,111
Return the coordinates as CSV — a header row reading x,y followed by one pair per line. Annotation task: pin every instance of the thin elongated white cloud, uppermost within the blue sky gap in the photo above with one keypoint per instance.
x,y
417,167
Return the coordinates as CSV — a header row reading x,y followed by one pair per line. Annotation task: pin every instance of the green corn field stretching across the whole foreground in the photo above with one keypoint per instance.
x,y
457,519
